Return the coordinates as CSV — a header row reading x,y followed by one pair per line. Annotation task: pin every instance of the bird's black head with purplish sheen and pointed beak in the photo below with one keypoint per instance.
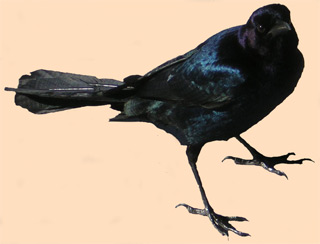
x,y
268,30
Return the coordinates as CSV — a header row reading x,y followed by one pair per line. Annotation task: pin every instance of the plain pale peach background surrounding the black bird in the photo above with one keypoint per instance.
x,y
72,177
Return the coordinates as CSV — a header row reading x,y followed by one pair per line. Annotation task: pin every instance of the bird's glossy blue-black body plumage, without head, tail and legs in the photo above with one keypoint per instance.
x,y
212,88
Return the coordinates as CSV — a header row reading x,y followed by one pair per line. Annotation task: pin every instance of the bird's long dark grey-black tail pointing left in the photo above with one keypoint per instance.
x,y
47,91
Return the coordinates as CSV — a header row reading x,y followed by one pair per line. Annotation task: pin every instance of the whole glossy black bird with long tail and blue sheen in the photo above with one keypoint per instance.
x,y
214,92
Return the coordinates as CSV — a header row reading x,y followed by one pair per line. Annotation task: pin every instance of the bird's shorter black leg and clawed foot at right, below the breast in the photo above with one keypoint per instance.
x,y
267,163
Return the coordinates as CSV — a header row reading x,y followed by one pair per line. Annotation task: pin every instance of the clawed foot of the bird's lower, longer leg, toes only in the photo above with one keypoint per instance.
x,y
220,222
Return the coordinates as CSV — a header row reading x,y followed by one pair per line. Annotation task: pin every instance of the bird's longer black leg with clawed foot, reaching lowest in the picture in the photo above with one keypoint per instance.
x,y
219,221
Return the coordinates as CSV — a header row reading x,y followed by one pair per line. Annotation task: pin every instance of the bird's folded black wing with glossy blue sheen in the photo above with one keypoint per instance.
x,y
192,80
